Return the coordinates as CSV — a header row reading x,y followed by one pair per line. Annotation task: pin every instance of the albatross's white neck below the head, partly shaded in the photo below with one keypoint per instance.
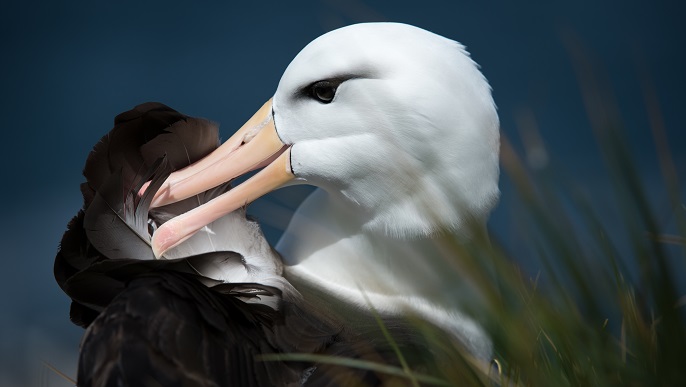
x,y
326,250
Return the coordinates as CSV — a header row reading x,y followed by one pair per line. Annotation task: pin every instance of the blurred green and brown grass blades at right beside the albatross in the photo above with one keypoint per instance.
x,y
607,306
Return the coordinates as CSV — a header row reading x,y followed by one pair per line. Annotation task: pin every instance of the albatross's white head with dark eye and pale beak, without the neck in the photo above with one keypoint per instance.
x,y
396,121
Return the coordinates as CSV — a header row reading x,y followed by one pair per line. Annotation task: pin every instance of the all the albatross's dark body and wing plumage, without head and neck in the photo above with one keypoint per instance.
x,y
173,322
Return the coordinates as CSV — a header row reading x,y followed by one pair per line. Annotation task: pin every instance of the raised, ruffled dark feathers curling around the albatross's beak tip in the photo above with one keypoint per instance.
x,y
146,144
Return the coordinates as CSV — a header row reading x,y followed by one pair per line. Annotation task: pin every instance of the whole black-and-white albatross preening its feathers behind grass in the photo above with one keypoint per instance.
x,y
396,127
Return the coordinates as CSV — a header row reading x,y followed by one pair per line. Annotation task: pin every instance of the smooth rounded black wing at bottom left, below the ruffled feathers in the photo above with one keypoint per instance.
x,y
168,330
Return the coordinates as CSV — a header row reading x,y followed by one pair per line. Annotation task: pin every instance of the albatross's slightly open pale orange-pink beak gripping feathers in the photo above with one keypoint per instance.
x,y
255,145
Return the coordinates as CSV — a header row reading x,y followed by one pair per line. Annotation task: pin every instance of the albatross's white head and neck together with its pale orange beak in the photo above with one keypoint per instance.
x,y
397,128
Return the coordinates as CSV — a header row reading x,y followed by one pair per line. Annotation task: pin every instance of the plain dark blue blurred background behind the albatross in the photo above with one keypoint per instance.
x,y
67,68
